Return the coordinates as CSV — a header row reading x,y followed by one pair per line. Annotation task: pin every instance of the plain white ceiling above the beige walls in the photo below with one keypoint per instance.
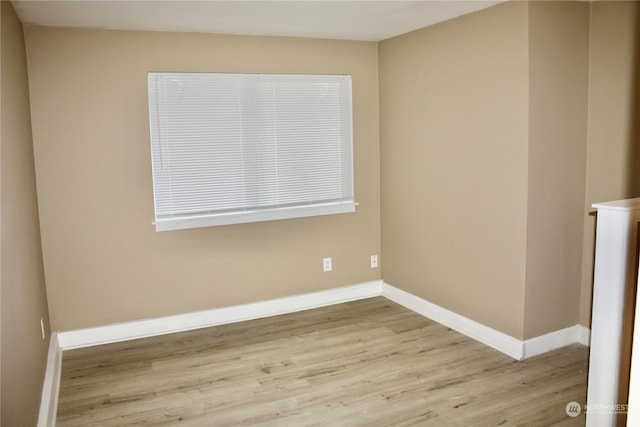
x,y
329,19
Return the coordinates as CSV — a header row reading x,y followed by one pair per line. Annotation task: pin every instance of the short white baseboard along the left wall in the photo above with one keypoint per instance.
x,y
51,386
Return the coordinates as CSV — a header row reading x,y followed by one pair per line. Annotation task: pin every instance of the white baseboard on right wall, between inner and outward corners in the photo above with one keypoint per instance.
x,y
479,332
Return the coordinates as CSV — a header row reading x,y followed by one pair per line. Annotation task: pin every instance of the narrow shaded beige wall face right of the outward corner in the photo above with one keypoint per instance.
x,y
558,83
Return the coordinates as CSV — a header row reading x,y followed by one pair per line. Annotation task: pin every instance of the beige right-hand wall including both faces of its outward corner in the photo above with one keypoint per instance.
x,y
483,148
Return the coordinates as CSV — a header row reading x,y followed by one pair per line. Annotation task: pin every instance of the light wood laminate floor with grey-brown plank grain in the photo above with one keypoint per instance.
x,y
363,363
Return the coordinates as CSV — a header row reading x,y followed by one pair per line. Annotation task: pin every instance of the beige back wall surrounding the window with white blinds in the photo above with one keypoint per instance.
x,y
104,262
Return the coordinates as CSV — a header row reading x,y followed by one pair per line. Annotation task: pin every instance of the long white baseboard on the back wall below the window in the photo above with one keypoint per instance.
x,y
217,316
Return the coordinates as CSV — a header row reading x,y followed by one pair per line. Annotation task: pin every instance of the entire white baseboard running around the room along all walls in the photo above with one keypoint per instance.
x,y
502,342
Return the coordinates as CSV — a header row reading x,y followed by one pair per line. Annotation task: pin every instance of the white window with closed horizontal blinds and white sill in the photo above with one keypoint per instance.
x,y
234,148
